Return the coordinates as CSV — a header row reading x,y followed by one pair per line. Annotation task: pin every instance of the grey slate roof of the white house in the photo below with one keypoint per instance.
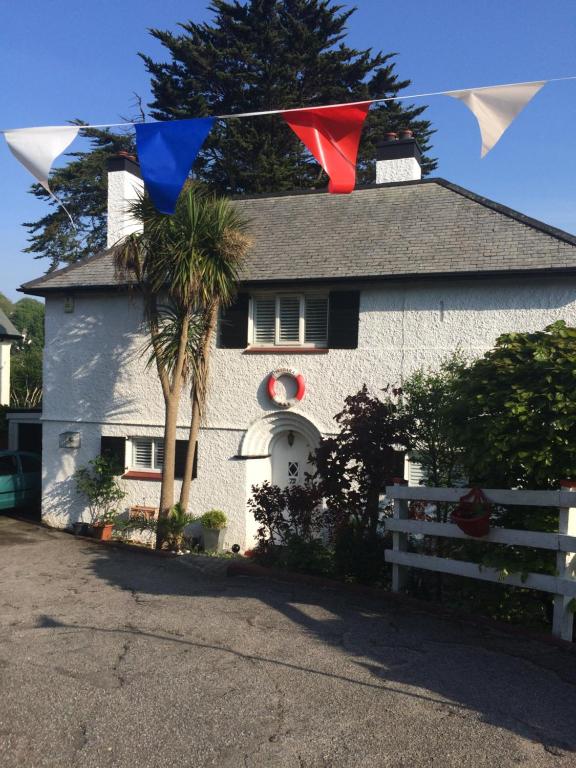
x,y
423,228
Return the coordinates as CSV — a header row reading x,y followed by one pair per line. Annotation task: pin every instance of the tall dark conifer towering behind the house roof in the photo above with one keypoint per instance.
x,y
270,54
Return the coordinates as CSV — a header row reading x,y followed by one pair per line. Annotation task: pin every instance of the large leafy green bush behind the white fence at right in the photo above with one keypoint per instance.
x,y
518,411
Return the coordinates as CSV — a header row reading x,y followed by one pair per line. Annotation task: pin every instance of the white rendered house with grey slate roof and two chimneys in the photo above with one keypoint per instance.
x,y
341,289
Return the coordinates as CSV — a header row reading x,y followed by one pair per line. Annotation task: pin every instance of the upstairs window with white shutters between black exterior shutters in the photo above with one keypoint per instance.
x,y
289,320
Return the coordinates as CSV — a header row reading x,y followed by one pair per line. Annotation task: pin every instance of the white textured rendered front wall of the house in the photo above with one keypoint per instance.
x,y
96,382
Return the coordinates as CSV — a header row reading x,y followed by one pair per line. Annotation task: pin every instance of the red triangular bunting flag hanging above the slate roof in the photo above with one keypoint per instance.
x,y
332,135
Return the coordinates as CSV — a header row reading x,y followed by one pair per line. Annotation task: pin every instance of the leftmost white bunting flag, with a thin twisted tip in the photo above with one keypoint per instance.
x,y
37,148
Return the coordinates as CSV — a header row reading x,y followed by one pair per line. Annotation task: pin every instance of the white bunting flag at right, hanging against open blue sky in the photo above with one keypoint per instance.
x,y
495,108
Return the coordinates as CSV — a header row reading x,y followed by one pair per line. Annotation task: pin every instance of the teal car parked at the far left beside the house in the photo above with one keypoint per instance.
x,y
20,479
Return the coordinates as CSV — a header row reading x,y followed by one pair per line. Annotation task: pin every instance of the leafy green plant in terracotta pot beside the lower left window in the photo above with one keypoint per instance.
x,y
99,484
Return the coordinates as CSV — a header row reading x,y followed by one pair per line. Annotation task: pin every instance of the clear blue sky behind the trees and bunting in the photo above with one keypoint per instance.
x,y
62,59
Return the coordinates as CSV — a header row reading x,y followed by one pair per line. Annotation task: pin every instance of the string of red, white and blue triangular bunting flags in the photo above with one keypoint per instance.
x,y
331,132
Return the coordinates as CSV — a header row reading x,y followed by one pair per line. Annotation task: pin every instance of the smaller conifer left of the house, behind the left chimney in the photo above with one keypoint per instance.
x,y
82,187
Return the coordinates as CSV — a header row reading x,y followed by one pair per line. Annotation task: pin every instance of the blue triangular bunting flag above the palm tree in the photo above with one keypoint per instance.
x,y
166,152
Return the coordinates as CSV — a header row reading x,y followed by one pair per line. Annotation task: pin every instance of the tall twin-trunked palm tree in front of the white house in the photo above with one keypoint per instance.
x,y
186,267
